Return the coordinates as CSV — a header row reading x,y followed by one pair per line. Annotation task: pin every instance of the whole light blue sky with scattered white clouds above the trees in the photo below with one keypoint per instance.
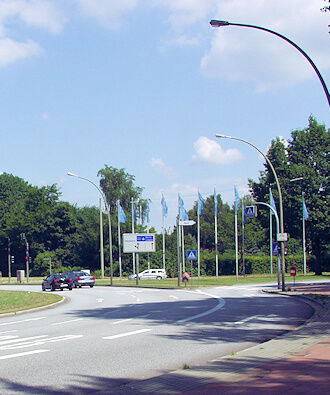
x,y
145,85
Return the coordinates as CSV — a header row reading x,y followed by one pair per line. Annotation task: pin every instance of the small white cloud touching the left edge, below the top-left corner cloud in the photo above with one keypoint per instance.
x,y
11,51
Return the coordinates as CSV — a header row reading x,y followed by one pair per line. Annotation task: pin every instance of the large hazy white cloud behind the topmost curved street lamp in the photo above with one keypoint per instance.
x,y
250,55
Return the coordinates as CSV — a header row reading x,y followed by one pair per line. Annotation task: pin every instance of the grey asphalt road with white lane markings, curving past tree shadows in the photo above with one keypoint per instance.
x,y
102,337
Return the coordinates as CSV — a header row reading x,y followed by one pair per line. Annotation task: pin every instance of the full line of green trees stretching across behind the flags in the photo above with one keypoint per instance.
x,y
70,235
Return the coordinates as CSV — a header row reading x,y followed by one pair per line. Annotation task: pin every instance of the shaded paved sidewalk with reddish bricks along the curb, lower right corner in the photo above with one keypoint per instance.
x,y
297,362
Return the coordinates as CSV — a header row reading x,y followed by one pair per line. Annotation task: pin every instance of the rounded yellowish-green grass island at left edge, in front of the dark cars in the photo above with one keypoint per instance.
x,y
13,301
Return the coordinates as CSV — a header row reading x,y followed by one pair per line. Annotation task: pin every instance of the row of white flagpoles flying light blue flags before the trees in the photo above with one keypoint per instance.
x,y
183,216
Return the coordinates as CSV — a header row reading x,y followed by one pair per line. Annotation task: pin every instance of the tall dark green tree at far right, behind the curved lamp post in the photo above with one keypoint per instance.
x,y
307,156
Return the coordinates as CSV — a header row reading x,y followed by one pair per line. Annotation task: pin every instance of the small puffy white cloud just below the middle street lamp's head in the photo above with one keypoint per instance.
x,y
211,152
